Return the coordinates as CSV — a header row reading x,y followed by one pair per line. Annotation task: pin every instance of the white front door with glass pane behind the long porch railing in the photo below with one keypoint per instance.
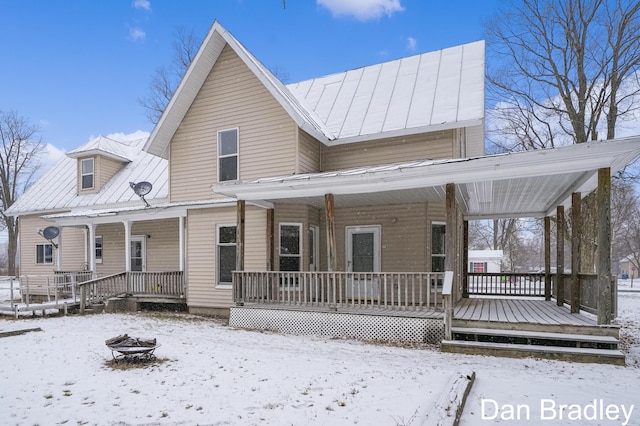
x,y
363,255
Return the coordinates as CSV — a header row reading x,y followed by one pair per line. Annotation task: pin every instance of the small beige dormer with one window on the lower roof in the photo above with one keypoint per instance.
x,y
98,161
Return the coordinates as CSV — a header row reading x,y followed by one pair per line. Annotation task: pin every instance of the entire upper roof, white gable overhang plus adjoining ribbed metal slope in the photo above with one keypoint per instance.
x,y
428,92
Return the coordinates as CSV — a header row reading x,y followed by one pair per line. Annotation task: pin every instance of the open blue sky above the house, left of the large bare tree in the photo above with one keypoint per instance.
x,y
77,68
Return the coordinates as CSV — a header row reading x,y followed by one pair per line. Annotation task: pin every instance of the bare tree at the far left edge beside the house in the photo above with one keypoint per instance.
x,y
18,164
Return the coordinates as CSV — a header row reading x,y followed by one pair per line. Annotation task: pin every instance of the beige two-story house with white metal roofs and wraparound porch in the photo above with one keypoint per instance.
x,y
342,192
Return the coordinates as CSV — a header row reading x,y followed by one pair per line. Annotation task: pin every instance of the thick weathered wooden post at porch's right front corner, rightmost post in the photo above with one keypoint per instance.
x,y
603,204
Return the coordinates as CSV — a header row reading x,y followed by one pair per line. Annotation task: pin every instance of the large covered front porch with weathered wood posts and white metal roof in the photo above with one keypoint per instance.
x,y
528,184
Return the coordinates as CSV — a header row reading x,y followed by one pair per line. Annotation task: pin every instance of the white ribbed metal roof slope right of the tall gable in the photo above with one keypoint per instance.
x,y
444,88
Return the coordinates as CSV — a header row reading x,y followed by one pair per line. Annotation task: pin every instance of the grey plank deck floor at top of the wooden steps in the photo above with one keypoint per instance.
x,y
519,311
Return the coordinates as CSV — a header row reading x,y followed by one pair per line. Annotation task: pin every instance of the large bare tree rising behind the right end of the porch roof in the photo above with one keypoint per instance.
x,y
562,70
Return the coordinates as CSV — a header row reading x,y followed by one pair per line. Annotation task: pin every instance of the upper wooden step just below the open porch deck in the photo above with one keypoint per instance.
x,y
535,338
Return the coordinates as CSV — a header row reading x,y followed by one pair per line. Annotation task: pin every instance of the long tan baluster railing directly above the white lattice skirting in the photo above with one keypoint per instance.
x,y
383,290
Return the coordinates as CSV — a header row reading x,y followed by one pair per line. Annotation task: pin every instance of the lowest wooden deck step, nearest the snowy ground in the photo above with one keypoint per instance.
x,y
512,350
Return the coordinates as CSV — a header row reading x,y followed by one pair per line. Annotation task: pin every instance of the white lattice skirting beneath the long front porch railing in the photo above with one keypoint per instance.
x,y
386,328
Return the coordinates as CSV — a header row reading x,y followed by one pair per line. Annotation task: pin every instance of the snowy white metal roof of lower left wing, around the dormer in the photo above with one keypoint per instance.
x,y
57,189
